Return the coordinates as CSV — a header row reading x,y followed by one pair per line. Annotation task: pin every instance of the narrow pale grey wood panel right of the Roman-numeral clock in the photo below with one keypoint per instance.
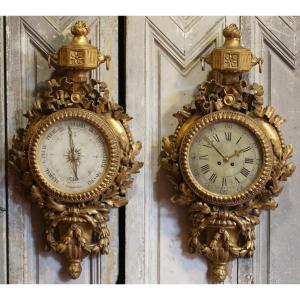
x,y
275,39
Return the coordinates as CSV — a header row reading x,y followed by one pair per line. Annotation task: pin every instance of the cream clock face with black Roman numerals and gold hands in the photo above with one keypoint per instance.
x,y
225,157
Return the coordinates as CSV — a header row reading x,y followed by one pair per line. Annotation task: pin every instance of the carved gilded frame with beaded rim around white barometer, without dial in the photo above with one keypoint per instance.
x,y
75,224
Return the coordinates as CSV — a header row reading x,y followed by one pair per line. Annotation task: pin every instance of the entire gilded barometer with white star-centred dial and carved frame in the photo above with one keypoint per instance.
x,y
76,155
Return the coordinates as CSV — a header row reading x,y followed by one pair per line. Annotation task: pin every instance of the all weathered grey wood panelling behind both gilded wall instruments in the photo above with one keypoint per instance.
x,y
162,72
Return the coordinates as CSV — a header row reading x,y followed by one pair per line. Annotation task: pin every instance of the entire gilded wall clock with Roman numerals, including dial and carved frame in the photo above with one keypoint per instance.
x,y
227,158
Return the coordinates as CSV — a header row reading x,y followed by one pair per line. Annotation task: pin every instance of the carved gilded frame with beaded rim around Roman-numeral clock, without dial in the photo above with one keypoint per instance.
x,y
223,231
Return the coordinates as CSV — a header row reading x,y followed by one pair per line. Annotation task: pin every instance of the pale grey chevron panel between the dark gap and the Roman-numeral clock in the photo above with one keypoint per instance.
x,y
163,70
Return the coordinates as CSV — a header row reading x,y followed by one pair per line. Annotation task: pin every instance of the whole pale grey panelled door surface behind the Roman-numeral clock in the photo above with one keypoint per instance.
x,y
163,70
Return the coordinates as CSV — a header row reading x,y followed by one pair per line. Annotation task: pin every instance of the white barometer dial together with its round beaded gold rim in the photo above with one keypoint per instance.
x,y
74,155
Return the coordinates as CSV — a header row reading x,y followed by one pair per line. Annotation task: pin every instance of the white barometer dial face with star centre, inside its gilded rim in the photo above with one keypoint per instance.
x,y
72,155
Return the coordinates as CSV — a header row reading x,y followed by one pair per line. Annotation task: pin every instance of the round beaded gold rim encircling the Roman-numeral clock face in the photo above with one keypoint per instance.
x,y
252,189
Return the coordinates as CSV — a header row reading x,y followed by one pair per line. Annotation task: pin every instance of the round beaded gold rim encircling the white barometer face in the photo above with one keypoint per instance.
x,y
113,154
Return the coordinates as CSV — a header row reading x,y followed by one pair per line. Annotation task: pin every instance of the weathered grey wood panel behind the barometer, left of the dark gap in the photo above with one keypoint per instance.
x,y
29,39
